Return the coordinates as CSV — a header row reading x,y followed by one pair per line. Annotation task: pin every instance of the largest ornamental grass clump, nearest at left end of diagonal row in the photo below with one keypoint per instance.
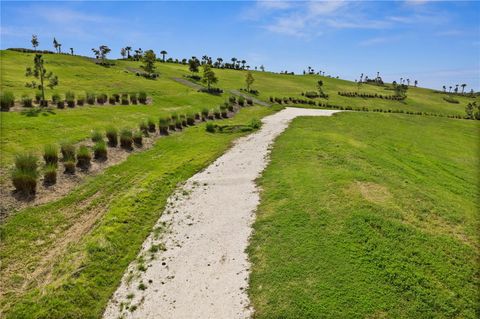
x,y
25,174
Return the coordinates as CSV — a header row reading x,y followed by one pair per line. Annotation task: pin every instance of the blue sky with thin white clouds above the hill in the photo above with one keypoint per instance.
x,y
437,43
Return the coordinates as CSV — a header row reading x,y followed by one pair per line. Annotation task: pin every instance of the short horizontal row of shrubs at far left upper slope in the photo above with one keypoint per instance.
x,y
7,99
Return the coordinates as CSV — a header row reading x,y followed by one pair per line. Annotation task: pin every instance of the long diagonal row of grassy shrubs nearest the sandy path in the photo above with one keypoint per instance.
x,y
25,174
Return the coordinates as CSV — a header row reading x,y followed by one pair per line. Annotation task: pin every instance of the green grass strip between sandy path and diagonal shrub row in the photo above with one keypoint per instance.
x,y
85,240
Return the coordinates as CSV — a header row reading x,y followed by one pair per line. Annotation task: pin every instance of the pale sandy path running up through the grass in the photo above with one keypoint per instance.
x,y
194,263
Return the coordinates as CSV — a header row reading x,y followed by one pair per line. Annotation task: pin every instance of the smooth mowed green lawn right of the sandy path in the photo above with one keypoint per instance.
x,y
369,216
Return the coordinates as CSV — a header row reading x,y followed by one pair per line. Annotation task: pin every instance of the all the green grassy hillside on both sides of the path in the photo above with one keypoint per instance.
x,y
362,214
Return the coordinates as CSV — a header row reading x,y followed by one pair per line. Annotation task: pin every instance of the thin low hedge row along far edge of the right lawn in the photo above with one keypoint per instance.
x,y
293,100
